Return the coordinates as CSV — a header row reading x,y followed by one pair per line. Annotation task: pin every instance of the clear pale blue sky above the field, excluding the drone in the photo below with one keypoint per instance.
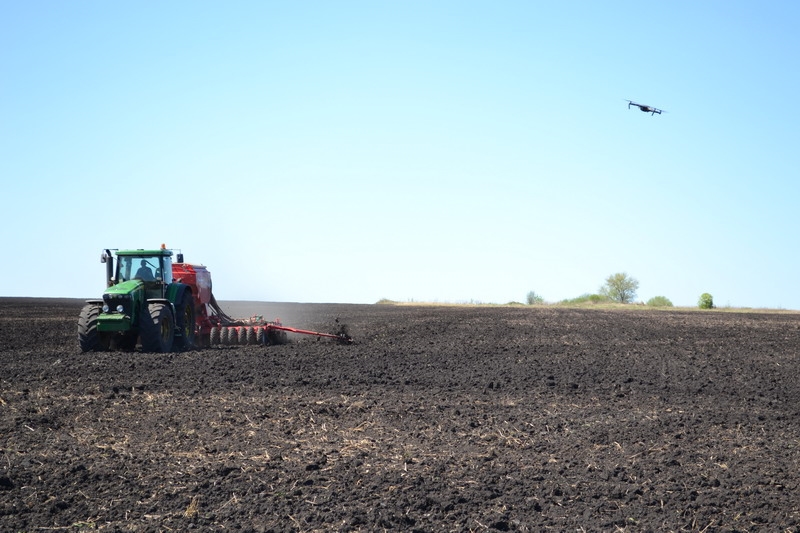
x,y
442,151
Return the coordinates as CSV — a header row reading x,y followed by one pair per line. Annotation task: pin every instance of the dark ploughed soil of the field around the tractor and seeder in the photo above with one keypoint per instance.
x,y
435,419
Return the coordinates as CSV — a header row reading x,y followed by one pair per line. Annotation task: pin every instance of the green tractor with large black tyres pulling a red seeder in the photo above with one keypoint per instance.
x,y
142,304
